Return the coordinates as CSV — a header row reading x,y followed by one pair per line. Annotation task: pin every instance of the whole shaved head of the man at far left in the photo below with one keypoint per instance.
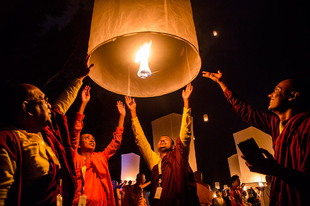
x,y
25,106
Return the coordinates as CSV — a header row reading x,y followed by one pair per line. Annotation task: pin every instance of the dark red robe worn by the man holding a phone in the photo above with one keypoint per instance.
x,y
292,150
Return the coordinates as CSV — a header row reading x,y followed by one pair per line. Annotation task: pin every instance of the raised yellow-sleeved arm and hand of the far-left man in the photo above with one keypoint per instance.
x,y
65,100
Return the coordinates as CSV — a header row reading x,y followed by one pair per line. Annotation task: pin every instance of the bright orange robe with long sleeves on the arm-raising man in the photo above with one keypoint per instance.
x,y
97,187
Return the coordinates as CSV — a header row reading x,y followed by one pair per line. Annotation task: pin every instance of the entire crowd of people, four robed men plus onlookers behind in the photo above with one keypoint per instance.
x,y
44,162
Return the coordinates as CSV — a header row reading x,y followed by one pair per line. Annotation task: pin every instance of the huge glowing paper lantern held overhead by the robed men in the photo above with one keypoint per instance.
x,y
118,31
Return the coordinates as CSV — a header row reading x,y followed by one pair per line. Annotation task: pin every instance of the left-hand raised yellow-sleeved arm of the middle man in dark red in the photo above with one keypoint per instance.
x,y
148,154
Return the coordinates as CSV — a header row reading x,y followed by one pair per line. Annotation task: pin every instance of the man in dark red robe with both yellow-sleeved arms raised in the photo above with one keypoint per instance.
x,y
172,181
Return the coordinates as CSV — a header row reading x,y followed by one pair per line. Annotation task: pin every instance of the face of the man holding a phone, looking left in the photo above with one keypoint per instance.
x,y
279,97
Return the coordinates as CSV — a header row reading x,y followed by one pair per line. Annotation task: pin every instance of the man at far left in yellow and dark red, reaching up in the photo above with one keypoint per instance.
x,y
36,163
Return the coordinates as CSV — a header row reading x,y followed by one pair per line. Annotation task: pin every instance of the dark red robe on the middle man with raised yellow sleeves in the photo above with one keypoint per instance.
x,y
179,187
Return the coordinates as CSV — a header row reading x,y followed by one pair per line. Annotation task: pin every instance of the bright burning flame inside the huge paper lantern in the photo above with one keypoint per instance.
x,y
142,56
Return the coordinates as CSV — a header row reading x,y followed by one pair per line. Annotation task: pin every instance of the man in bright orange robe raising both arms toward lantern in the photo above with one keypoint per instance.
x,y
92,170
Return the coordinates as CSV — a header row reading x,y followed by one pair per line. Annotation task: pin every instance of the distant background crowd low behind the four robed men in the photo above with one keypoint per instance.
x,y
238,195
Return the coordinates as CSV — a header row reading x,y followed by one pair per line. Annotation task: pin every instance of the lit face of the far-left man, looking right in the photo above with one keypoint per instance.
x,y
39,107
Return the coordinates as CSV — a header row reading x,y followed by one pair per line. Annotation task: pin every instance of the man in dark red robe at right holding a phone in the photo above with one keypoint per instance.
x,y
289,126
